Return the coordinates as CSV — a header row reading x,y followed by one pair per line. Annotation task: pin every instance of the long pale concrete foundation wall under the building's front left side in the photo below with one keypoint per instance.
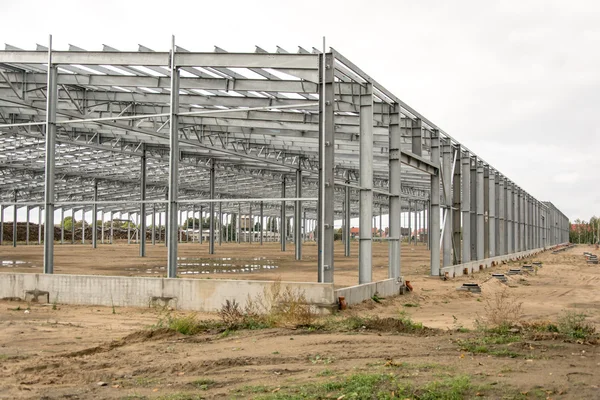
x,y
184,294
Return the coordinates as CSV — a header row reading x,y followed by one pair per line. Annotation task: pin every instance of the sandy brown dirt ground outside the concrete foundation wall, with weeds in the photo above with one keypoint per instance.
x,y
60,351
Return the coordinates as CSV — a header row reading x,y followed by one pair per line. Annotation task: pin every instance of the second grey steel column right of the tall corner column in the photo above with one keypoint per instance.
x,y
395,189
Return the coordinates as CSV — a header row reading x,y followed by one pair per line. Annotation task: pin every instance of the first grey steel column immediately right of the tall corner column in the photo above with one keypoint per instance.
x,y
365,250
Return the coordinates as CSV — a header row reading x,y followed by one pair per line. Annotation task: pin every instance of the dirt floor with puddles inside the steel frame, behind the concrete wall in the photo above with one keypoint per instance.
x,y
265,262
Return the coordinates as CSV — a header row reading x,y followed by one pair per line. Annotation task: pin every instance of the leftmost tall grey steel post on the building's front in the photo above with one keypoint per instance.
x,y
49,197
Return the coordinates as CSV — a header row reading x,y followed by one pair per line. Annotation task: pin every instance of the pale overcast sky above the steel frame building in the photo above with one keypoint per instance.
x,y
518,82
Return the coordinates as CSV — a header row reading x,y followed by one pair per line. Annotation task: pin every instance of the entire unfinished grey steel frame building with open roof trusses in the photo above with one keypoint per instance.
x,y
152,131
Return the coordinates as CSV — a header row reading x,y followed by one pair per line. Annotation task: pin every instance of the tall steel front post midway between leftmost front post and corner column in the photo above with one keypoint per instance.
x,y
173,168
